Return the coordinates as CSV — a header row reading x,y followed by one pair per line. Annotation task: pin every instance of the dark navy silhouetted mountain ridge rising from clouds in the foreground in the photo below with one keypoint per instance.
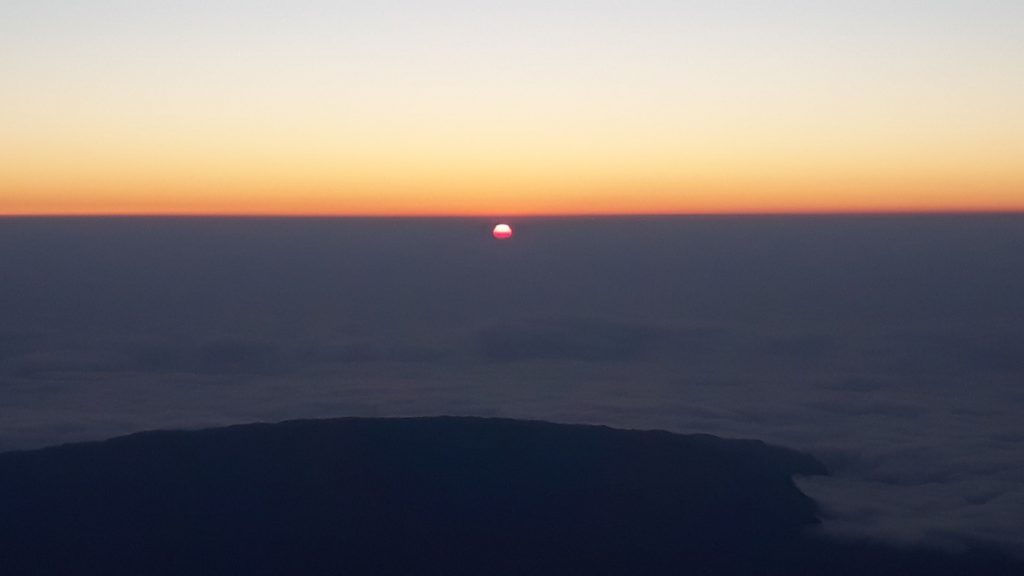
x,y
429,497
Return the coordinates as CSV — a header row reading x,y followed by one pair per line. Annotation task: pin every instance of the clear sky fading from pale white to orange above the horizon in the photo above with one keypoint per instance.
x,y
505,108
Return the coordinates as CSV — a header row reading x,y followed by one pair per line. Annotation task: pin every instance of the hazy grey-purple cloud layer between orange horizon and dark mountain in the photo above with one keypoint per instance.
x,y
889,348
